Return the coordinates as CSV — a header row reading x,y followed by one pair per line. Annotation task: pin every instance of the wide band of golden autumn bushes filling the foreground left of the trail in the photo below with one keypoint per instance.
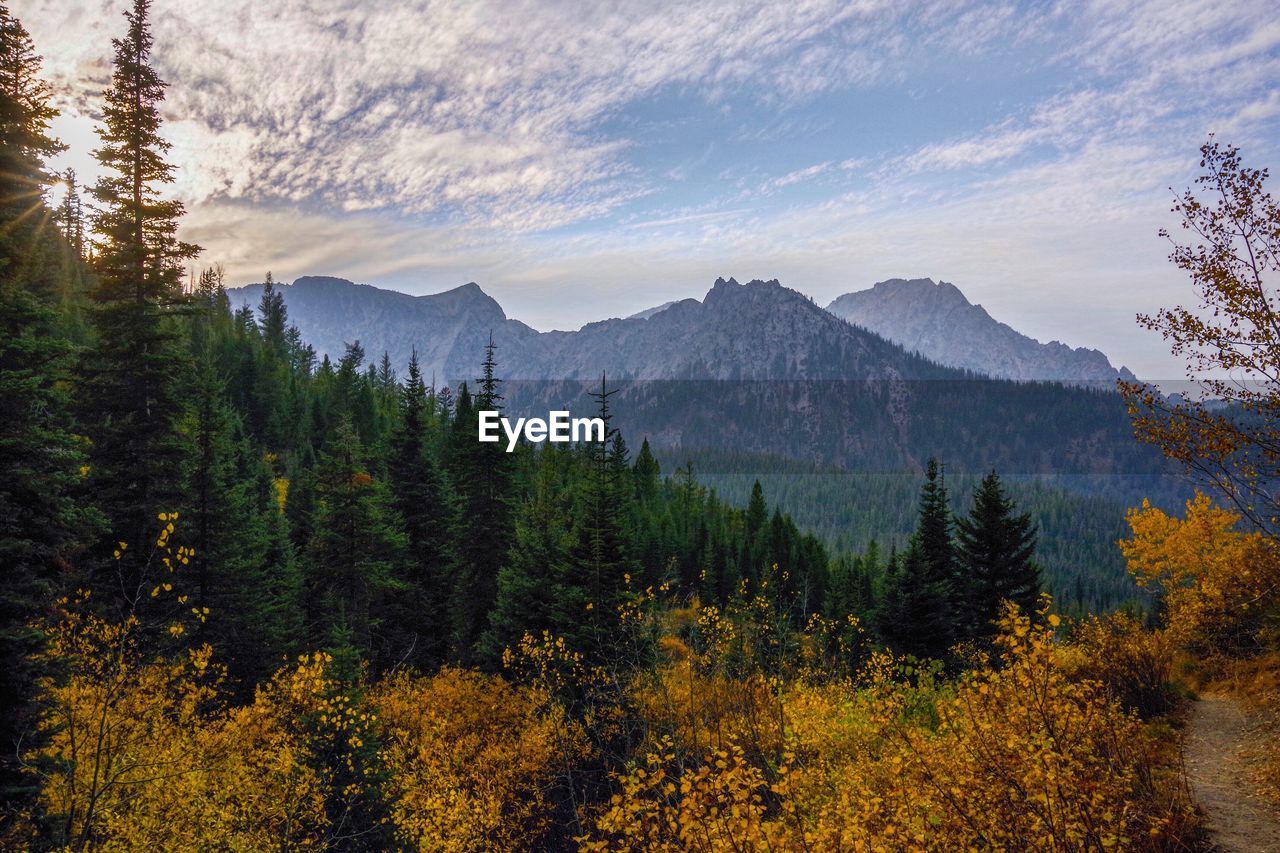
x,y
743,733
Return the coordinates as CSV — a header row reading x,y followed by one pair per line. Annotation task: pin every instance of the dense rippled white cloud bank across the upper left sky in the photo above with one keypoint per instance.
x,y
476,111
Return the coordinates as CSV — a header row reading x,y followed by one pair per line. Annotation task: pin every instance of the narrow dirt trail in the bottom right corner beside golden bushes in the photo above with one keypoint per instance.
x,y
1220,728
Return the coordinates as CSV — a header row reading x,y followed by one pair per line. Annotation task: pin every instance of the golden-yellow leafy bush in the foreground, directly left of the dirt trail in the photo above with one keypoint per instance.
x,y
1014,755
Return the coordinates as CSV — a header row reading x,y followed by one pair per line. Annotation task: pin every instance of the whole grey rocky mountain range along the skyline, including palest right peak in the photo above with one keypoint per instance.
x,y
755,331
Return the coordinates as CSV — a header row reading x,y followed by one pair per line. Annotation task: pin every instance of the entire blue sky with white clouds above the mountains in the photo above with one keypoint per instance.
x,y
591,159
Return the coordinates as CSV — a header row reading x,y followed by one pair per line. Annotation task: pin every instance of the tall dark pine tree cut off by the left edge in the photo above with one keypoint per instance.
x,y
40,521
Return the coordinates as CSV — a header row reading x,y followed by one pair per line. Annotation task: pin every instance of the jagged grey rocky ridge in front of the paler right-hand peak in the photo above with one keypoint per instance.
x,y
739,331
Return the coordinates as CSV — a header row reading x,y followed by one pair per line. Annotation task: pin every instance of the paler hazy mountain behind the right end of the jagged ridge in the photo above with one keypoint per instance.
x,y
936,321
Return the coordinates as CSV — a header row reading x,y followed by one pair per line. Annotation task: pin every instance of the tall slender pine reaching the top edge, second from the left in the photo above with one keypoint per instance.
x,y
136,407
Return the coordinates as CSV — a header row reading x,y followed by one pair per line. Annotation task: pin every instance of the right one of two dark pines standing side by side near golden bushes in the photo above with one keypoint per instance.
x,y
996,559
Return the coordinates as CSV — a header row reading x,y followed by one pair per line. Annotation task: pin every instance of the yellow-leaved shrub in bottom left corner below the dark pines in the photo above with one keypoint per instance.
x,y
135,758
